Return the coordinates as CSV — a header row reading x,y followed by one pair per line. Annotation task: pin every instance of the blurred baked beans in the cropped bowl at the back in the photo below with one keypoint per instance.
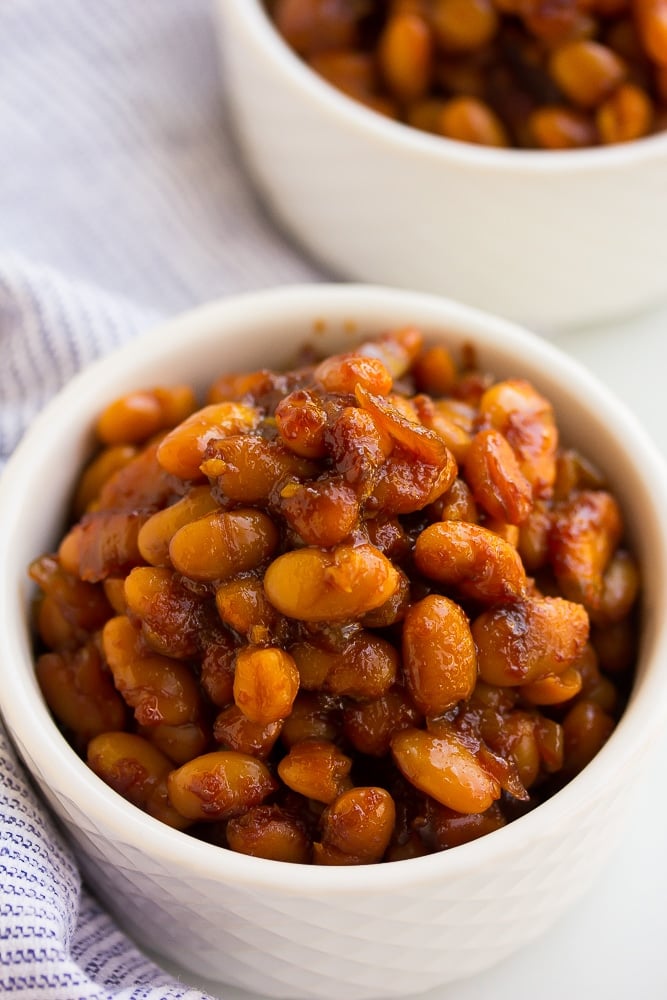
x,y
545,74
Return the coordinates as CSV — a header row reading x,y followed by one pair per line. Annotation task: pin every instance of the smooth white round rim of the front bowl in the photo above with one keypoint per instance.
x,y
39,739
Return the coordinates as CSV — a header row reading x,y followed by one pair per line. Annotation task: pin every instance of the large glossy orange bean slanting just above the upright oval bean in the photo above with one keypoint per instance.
x,y
476,561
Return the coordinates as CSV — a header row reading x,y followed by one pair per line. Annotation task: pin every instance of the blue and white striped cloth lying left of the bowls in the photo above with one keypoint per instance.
x,y
122,199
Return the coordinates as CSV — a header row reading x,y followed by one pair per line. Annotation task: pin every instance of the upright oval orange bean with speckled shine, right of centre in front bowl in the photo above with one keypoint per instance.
x,y
439,658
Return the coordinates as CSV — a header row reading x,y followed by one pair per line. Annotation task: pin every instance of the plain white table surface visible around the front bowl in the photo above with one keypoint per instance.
x,y
613,944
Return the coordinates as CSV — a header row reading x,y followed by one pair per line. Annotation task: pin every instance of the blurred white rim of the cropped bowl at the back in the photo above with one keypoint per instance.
x,y
254,19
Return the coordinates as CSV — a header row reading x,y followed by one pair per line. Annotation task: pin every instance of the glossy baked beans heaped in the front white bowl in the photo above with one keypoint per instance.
x,y
366,609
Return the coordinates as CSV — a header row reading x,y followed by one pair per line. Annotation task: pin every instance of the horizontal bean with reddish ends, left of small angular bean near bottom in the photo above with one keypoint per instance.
x,y
219,785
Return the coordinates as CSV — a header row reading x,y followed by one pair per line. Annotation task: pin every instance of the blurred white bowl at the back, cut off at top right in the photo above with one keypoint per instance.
x,y
551,239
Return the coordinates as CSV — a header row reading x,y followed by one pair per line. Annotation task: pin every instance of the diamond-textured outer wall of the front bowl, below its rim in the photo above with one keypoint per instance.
x,y
357,945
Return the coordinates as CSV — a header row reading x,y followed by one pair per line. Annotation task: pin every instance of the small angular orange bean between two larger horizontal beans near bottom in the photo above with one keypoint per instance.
x,y
316,769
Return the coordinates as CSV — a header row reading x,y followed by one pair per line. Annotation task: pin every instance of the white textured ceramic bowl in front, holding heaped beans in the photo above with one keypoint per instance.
x,y
303,932
